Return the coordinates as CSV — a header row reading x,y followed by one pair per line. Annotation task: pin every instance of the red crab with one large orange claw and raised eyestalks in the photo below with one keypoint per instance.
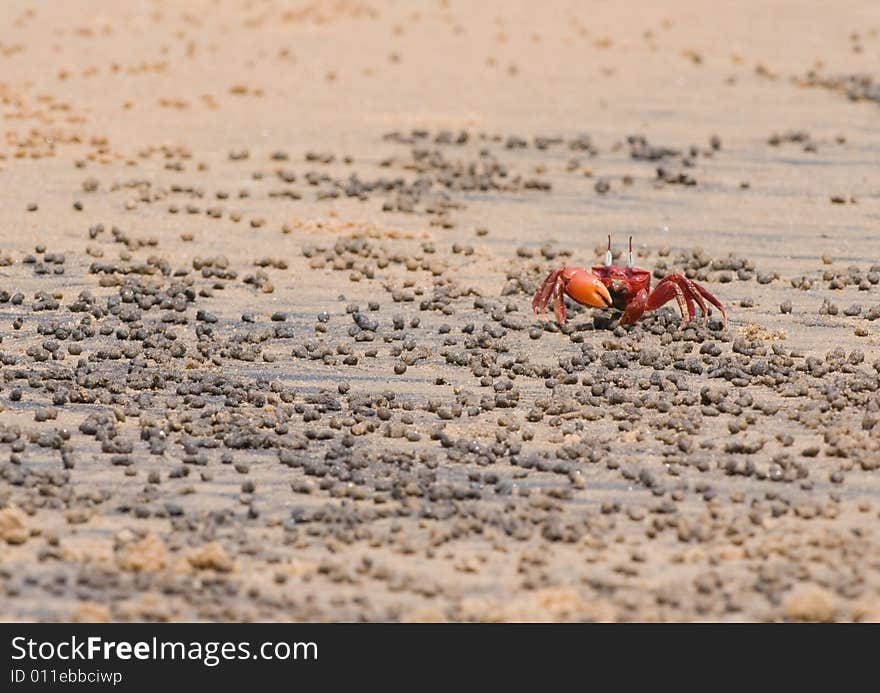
x,y
626,288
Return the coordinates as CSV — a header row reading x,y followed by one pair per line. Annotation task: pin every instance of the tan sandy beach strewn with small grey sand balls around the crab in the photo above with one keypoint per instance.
x,y
267,343
